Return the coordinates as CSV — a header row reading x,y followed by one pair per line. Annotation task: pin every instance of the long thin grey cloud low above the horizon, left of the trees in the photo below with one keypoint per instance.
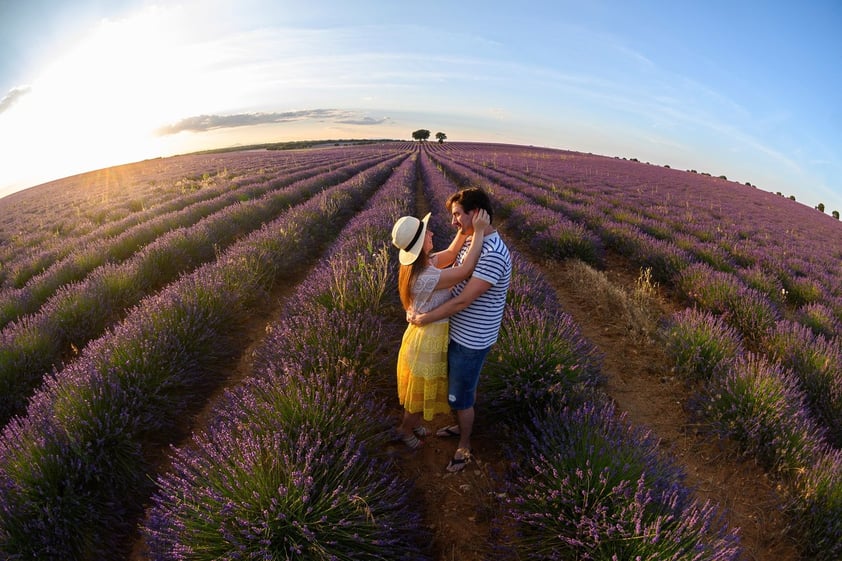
x,y
203,123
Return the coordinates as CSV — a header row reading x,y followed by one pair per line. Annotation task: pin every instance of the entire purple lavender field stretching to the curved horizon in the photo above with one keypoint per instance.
x,y
197,357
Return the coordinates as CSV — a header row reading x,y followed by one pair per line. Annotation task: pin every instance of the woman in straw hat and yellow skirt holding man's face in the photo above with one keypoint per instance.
x,y
422,359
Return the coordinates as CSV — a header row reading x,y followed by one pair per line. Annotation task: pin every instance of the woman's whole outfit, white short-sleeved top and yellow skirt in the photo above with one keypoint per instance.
x,y
422,359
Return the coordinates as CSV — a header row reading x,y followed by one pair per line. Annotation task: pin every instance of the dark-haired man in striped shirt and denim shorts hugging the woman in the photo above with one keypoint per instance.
x,y
475,313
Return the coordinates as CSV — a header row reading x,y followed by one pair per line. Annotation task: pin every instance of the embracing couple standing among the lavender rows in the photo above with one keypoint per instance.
x,y
454,301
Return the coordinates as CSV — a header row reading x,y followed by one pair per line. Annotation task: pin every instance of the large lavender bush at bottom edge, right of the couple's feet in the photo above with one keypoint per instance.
x,y
592,486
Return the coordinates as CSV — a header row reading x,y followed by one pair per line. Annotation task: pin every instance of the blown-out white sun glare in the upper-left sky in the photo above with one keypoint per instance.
x,y
101,101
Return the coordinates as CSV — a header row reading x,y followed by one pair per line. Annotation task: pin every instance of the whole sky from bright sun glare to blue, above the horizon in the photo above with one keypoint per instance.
x,y
745,89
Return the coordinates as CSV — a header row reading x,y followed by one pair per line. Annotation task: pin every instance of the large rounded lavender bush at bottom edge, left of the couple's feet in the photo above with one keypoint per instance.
x,y
245,494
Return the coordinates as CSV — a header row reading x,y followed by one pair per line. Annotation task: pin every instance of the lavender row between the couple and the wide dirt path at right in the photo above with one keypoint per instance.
x,y
584,483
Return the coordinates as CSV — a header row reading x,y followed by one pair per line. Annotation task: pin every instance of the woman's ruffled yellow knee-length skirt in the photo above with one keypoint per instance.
x,y
422,369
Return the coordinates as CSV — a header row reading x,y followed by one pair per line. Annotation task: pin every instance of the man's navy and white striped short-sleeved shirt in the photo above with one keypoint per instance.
x,y
478,325
